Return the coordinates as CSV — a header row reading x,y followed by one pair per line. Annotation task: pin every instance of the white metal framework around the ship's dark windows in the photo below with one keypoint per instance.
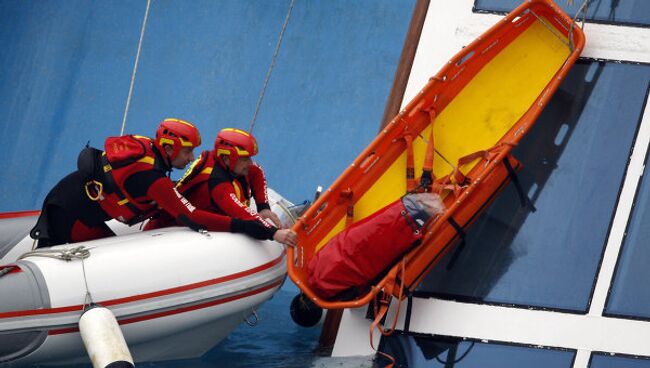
x,y
449,26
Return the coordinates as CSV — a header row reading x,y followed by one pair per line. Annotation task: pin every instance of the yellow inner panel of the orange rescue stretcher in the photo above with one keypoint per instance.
x,y
478,117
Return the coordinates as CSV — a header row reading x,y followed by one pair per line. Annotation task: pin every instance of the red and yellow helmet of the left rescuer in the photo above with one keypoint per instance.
x,y
178,134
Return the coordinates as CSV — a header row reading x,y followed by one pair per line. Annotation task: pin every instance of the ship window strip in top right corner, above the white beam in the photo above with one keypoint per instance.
x,y
635,13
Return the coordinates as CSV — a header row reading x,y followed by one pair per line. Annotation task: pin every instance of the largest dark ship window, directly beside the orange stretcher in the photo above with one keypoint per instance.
x,y
549,258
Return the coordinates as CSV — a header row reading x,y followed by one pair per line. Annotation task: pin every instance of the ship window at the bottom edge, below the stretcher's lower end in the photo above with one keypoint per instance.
x,y
416,351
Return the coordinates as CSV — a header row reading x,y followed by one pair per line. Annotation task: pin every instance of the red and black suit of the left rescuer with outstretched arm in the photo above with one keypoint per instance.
x,y
129,194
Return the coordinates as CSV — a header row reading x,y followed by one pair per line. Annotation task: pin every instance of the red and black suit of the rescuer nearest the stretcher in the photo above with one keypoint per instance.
x,y
211,187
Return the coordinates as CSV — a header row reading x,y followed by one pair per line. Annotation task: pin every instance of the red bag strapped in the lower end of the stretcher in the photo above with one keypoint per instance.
x,y
358,254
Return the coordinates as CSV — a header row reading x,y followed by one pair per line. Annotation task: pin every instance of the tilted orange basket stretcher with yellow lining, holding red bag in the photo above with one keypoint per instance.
x,y
350,198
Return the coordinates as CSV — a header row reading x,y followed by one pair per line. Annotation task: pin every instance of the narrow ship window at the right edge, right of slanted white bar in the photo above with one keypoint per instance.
x,y
628,296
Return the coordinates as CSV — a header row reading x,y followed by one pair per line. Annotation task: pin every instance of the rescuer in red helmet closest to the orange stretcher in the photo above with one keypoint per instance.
x,y
224,180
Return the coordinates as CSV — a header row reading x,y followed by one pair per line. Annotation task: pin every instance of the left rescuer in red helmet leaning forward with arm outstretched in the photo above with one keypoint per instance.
x,y
78,206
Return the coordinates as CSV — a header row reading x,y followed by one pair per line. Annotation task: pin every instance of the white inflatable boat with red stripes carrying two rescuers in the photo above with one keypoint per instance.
x,y
174,292
